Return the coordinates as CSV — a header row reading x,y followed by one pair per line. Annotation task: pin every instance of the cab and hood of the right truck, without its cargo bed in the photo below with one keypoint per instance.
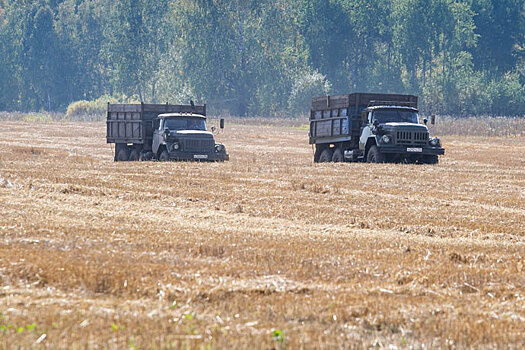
x,y
393,133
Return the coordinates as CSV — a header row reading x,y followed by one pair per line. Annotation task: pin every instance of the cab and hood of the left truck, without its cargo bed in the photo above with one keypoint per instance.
x,y
183,136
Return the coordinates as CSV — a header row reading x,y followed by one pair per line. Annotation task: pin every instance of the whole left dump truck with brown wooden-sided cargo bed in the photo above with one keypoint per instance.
x,y
162,132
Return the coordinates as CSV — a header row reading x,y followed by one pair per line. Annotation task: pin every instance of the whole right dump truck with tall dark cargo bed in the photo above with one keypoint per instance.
x,y
370,127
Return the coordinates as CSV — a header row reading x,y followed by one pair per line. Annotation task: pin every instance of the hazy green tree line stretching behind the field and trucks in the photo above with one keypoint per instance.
x,y
263,57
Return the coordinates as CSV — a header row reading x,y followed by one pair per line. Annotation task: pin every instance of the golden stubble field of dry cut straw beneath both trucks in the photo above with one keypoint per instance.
x,y
265,251
